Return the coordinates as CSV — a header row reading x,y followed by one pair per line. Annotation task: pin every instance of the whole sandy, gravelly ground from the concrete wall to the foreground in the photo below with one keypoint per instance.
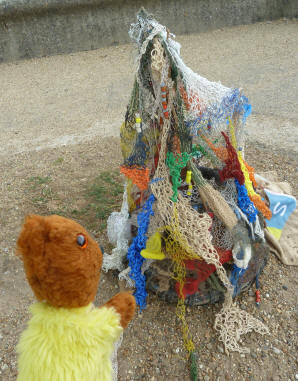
x,y
59,119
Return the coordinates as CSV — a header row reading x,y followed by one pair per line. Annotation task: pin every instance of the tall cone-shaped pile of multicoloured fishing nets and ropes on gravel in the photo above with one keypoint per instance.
x,y
191,227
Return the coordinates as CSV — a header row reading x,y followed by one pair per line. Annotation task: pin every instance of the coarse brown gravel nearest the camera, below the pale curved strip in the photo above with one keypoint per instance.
x,y
156,351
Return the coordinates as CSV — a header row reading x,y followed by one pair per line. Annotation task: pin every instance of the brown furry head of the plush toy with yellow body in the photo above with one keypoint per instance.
x,y
62,262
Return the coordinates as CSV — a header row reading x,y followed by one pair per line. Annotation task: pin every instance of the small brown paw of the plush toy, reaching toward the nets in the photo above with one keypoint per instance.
x,y
124,303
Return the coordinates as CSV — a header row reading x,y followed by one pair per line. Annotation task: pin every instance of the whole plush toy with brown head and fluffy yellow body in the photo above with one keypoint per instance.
x,y
67,337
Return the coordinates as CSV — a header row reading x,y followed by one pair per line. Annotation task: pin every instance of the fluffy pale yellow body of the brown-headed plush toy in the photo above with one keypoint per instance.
x,y
62,344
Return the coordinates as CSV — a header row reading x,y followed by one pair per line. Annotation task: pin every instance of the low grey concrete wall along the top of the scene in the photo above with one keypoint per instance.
x,y
36,28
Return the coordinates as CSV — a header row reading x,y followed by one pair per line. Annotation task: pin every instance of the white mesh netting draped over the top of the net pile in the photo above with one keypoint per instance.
x,y
211,102
